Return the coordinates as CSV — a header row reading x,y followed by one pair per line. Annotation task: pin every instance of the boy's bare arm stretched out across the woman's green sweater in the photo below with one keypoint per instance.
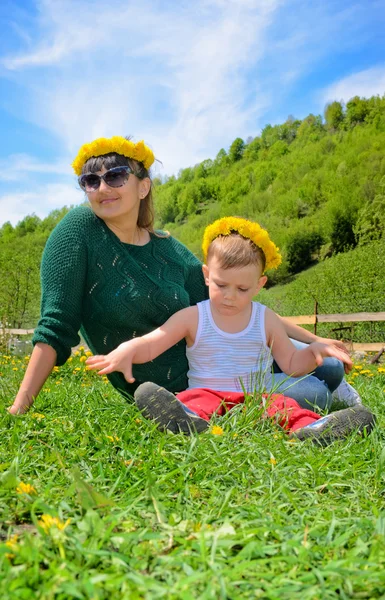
x,y
182,324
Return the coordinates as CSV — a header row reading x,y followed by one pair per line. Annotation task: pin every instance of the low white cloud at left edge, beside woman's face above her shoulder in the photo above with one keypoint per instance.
x,y
15,206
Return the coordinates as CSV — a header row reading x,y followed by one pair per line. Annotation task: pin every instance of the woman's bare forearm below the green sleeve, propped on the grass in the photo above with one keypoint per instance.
x,y
43,359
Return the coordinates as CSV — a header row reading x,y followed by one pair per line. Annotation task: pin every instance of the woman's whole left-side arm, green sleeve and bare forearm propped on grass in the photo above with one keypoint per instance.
x,y
63,273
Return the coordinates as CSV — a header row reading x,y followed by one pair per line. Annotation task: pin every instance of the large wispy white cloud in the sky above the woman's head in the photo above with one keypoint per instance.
x,y
175,76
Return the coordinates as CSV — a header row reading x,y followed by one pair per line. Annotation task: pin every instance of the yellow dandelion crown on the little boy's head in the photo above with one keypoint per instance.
x,y
248,230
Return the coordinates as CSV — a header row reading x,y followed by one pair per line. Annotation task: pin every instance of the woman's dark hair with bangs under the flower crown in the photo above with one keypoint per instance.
x,y
111,160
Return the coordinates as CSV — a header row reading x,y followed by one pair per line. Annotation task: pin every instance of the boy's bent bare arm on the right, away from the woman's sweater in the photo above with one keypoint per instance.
x,y
298,362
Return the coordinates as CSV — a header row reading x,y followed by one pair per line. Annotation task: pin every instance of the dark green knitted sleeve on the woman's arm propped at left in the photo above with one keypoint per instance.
x,y
63,279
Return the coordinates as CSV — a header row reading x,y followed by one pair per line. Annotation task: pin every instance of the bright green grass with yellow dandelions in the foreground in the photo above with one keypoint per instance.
x,y
96,504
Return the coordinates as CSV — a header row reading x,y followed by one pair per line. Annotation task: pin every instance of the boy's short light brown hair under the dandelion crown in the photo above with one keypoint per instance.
x,y
235,251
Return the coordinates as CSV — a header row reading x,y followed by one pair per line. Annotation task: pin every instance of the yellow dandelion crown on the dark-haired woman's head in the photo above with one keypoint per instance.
x,y
118,144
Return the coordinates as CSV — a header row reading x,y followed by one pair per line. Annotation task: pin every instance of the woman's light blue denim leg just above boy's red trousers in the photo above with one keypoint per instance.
x,y
308,391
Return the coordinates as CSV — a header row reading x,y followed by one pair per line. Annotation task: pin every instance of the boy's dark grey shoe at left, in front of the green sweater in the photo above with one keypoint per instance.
x,y
160,405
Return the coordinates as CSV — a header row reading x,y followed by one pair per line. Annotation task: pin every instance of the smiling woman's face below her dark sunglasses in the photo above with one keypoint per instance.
x,y
121,203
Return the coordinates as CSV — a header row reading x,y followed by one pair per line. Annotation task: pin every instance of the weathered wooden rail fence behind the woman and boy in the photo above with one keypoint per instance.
x,y
313,319
